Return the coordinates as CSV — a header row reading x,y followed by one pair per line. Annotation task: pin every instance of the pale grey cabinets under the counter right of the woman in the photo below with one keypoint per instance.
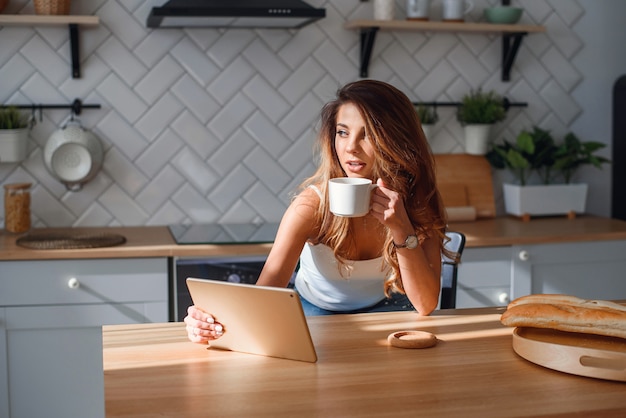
x,y
492,276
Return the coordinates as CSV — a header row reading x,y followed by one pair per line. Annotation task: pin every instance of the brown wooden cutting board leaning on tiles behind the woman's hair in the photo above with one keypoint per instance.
x,y
465,181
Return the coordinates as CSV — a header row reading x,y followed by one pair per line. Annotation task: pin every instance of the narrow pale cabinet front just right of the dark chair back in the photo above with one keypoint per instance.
x,y
484,277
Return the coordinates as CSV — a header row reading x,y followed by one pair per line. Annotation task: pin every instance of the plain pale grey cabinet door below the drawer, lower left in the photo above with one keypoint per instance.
x,y
54,363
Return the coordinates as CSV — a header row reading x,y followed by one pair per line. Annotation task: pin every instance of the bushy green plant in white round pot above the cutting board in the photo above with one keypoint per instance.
x,y
477,112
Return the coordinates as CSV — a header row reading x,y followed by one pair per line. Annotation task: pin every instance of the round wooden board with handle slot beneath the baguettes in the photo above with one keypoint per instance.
x,y
574,353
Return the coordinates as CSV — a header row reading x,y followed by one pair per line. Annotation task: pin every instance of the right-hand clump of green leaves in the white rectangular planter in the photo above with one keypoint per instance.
x,y
573,153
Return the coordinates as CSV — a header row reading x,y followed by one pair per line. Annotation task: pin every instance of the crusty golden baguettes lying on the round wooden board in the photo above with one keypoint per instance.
x,y
567,313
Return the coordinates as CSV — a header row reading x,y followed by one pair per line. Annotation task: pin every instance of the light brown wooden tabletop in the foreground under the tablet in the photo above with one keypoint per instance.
x,y
151,370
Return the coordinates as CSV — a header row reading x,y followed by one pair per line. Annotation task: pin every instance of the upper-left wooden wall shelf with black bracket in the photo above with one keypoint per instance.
x,y
50,20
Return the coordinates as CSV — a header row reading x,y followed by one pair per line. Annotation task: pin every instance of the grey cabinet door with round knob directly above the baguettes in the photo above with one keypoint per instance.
x,y
590,270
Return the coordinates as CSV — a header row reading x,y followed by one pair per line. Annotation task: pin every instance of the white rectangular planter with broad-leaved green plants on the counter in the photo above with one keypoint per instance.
x,y
536,152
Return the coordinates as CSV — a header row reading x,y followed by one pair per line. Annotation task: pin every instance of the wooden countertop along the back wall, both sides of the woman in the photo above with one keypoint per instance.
x,y
156,241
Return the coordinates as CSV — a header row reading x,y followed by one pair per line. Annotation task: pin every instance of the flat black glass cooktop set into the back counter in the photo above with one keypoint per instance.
x,y
224,233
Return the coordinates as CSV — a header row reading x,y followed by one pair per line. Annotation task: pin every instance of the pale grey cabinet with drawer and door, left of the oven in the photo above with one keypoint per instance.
x,y
51,317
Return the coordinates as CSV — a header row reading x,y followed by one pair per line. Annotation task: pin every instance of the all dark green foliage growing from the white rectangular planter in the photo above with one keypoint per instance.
x,y
537,151
